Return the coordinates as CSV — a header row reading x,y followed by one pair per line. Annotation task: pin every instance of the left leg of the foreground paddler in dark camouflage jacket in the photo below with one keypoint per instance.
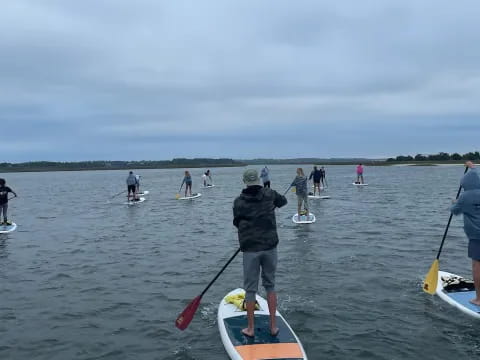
x,y
251,271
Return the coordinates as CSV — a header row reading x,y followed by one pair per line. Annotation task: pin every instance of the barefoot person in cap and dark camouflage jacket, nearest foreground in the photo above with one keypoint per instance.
x,y
254,216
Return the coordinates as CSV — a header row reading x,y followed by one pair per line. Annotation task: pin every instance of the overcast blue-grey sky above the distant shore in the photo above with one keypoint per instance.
x,y
132,80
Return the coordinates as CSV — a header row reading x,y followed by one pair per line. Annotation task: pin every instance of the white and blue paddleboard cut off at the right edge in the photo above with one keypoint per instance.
x,y
455,291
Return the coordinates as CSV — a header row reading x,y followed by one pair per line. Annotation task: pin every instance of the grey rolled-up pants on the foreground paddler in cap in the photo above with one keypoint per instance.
x,y
252,262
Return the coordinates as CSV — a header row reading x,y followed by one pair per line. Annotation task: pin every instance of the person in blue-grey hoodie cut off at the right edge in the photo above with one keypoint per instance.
x,y
468,204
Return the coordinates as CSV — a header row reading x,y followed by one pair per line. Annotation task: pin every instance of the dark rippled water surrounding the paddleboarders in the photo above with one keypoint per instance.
x,y
87,277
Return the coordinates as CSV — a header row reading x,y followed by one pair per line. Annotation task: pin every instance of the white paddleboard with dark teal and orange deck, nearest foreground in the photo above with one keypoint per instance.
x,y
231,321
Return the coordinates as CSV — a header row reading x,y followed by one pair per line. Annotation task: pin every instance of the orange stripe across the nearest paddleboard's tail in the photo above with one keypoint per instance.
x,y
270,351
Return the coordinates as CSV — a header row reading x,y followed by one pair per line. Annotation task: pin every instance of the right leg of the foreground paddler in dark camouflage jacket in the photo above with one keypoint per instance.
x,y
269,267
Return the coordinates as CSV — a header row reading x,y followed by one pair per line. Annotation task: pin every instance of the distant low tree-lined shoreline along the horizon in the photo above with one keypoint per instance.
x,y
209,163
